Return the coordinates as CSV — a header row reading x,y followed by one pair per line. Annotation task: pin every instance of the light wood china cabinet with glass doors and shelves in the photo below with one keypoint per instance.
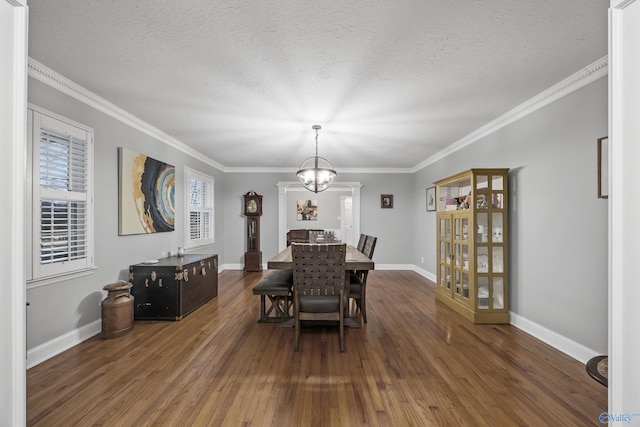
x,y
472,244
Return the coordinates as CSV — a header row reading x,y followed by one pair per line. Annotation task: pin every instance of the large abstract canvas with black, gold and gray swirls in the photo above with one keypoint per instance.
x,y
146,194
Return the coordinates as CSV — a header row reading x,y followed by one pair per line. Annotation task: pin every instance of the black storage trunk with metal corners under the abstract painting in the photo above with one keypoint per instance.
x,y
174,286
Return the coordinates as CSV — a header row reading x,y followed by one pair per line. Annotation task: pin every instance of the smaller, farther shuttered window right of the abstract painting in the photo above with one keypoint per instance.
x,y
200,209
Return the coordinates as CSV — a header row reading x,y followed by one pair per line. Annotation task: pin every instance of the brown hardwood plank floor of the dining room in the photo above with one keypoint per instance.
x,y
416,362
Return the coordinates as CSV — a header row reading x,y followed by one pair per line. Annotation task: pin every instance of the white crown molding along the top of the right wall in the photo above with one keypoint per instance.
x,y
585,76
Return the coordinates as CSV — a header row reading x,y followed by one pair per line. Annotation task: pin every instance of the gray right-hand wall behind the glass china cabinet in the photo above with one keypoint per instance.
x,y
558,226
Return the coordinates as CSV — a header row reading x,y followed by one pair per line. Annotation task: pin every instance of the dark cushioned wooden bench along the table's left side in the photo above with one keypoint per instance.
x,y
276,286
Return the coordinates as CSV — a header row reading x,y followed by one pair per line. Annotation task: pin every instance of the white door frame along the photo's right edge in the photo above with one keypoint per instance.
x,y
624,229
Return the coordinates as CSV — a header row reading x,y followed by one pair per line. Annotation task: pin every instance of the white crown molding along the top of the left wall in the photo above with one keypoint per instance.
x,y
46,75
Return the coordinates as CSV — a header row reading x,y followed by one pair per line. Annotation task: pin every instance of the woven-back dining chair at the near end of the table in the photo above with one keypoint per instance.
x,y
318,285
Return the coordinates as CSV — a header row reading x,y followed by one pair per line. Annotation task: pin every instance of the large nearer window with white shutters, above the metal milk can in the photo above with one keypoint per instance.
x,y
61,202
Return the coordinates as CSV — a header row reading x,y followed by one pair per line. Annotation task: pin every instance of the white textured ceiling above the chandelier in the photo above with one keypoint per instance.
x,y
391,82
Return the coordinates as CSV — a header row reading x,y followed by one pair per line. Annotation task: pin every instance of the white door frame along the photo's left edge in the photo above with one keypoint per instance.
x,y
14,20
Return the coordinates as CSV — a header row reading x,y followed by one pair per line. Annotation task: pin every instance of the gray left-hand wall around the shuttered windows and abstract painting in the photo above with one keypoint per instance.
x,y
61,307
